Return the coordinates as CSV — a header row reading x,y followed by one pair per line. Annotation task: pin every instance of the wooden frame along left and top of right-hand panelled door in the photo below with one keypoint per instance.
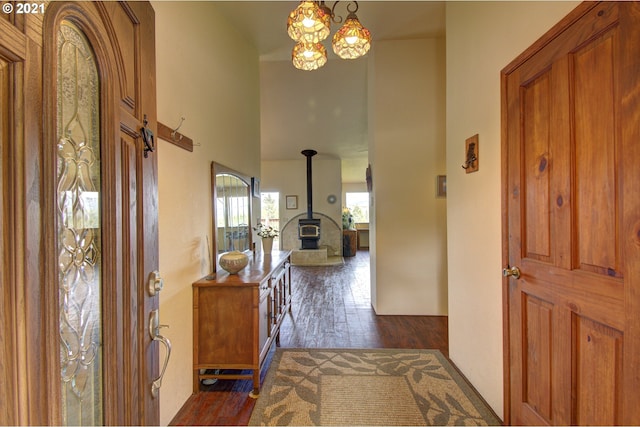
x,y
538,45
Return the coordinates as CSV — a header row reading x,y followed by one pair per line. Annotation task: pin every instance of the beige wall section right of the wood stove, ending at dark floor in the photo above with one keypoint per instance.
x,y
407,152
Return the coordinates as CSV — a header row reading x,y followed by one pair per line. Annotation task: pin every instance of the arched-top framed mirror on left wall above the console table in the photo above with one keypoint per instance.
x,y
231,210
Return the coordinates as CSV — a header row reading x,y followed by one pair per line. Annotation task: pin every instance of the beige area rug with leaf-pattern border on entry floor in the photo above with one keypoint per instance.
x,y
348,387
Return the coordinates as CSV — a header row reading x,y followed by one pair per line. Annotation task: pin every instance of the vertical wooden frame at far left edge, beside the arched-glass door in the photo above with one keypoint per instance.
x,y
23,323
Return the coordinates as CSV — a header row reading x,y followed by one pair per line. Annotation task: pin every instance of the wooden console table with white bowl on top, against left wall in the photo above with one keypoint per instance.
x,y
236,318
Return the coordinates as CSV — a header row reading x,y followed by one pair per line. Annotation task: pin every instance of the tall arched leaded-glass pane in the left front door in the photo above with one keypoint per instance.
x,y
78,228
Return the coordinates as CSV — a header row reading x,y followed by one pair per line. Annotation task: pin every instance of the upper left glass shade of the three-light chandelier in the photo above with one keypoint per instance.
x,y
309,23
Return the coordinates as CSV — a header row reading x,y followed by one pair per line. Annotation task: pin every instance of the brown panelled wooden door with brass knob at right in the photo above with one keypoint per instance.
x,y
571,215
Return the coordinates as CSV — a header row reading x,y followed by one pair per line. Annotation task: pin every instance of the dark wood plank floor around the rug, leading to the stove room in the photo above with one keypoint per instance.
x,y
331,309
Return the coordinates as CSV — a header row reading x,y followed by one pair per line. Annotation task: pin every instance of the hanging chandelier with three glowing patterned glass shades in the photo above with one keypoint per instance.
x,y
310,23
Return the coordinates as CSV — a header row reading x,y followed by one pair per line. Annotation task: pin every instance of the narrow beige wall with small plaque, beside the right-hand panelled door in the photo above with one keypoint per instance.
x,y
482,38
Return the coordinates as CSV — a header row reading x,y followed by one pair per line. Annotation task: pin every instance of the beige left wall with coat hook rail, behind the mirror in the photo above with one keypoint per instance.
x,y
212,79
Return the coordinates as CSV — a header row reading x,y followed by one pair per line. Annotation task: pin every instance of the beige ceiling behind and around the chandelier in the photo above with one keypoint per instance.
x,y
326,109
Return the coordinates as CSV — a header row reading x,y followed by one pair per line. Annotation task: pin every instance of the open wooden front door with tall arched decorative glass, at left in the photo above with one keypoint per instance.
x,y
79,213
